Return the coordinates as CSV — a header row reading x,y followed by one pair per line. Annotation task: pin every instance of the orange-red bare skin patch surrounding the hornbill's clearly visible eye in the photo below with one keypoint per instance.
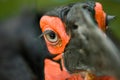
x,y
55,24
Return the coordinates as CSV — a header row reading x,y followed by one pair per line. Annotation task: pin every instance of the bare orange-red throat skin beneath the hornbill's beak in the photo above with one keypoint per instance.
x,y
53,72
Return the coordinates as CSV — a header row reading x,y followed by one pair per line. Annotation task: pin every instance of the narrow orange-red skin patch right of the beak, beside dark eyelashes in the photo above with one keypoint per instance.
x,y
100,16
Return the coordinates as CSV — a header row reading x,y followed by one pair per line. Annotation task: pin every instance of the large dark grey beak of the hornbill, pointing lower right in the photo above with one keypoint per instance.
x,y
89,48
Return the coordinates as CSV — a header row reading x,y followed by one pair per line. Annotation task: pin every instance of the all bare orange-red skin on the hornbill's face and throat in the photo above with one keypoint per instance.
x,y
52,69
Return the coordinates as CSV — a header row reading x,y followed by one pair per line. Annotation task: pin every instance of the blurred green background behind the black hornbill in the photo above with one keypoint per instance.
x,y
11,8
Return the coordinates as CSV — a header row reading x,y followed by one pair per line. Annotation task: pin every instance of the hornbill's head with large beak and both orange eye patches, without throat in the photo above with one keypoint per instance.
x,y
75,35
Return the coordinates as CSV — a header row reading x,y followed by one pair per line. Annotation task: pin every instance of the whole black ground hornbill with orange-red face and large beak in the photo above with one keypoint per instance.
x,y
70,44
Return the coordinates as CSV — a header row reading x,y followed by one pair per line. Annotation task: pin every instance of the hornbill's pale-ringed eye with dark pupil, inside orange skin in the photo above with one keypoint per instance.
x,y
51,36
